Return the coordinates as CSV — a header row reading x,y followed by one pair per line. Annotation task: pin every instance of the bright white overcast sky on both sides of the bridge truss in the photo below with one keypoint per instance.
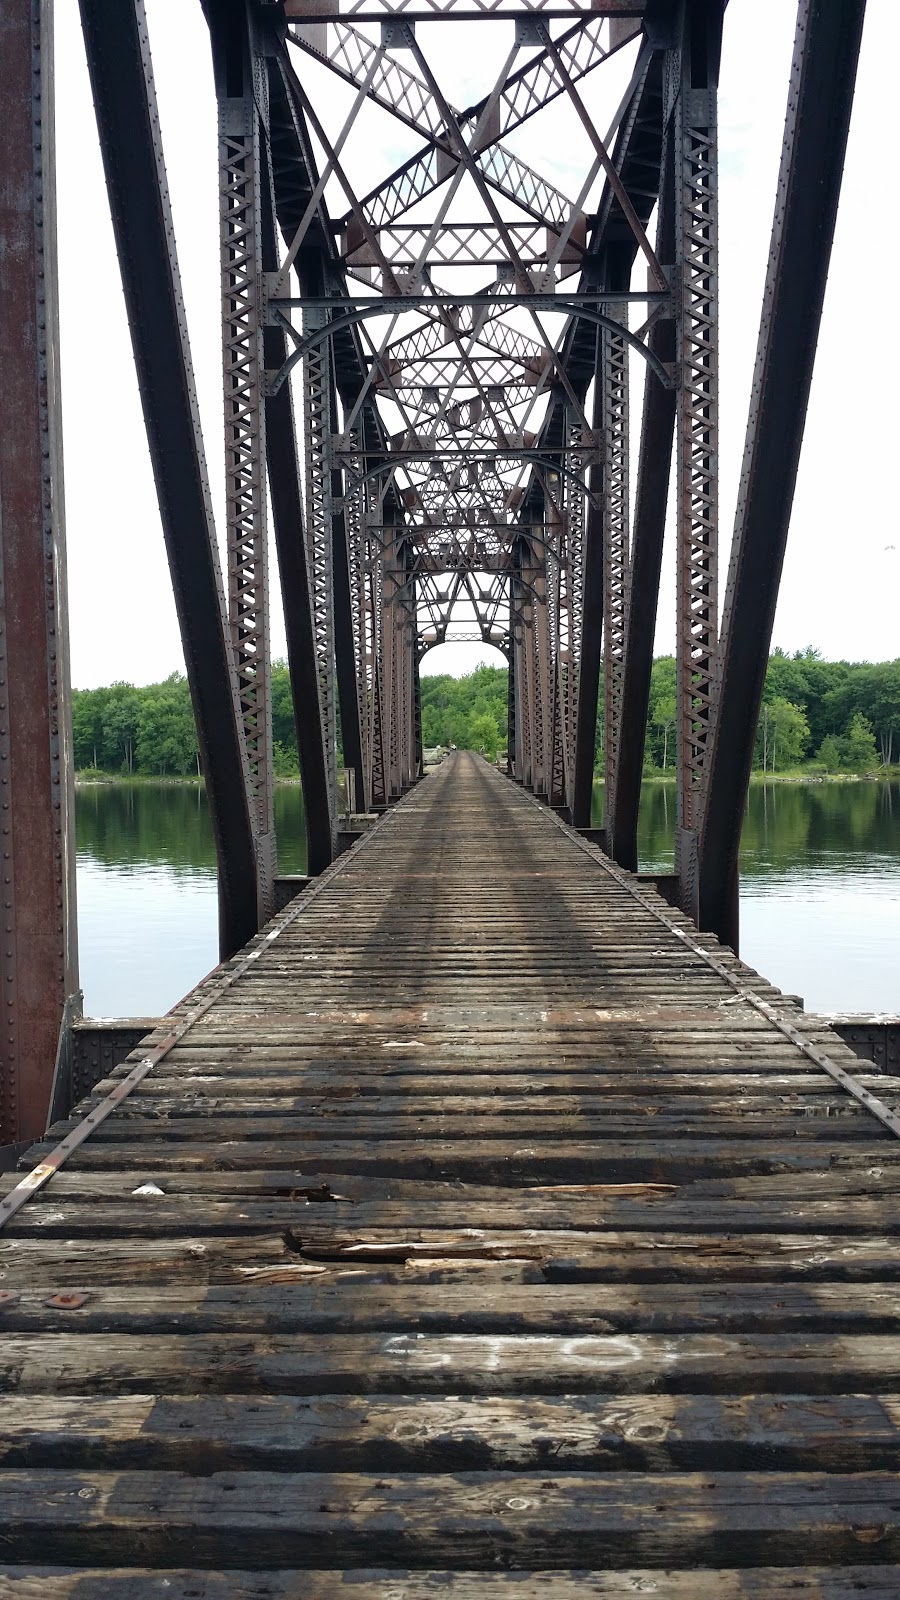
x,y
842,586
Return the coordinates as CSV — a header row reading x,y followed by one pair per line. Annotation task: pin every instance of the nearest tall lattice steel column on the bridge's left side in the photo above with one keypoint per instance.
x,y
243,98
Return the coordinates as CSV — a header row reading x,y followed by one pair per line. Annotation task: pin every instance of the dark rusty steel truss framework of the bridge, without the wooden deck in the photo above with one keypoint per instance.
x,y
451,390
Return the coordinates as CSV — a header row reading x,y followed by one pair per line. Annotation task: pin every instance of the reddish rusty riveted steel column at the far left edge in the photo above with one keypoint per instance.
x,y
39,972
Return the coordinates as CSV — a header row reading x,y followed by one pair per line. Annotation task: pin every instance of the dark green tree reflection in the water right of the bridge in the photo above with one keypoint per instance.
x,y
785,825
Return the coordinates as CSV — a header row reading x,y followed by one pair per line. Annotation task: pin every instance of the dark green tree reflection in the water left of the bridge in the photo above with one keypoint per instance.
x,y
169,825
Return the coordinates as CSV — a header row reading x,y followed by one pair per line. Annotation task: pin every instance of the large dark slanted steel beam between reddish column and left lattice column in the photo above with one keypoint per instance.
x,y
123,82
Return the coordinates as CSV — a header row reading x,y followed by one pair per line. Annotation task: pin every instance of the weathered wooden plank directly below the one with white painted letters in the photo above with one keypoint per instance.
x,y
339,1433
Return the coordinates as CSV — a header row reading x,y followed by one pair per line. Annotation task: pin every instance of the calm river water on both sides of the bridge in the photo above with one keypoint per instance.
x,y
821,889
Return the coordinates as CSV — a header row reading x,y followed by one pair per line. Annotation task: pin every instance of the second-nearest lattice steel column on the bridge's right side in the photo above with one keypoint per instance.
x,y
616,545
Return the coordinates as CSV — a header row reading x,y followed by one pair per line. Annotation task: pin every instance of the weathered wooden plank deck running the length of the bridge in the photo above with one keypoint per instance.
x,y
480,1238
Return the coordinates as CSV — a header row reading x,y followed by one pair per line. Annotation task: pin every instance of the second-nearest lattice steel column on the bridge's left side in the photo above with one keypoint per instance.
x,y
319,550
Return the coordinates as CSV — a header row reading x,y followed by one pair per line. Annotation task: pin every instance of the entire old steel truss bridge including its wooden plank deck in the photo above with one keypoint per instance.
x,y
481,1228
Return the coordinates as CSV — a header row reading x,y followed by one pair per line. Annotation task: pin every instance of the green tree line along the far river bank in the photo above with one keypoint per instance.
x,y
838,716
